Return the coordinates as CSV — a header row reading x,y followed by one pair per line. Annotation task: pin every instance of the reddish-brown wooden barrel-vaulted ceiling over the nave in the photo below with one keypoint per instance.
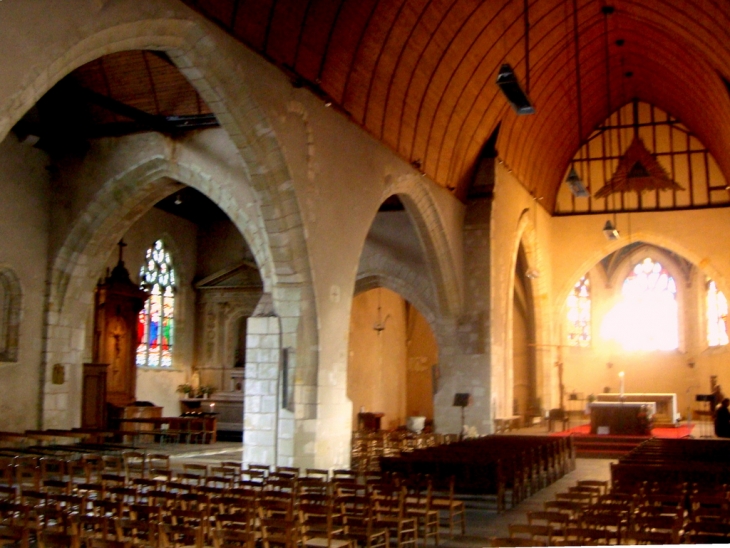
x,y
419,75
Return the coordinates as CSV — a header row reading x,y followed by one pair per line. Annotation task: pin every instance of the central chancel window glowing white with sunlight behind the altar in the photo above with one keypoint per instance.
x,y
646,317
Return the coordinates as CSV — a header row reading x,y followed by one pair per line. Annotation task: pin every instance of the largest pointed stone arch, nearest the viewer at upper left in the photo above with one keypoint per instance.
x,y
220,80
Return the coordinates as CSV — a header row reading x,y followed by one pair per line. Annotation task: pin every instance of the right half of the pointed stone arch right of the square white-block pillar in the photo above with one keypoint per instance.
x,y
443,266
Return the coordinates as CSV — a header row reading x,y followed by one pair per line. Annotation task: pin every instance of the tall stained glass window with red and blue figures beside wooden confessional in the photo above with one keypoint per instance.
x,y
156,325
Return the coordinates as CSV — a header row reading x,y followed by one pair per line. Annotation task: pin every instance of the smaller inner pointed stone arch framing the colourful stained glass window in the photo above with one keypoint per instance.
x,y
120,201
